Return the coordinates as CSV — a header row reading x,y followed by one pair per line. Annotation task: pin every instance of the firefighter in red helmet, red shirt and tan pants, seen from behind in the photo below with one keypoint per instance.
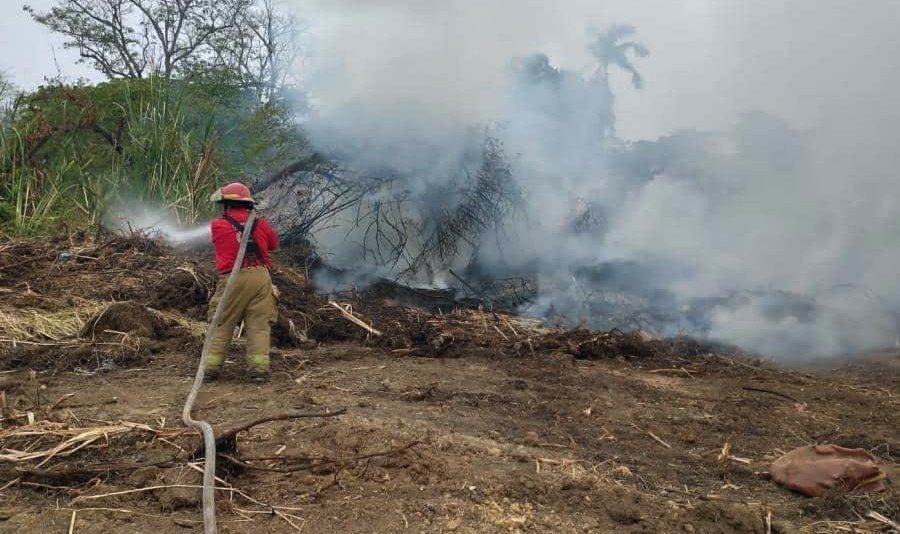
x,y
252,299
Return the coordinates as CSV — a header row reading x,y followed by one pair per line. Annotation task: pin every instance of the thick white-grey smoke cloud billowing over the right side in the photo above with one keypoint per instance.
x,y
801,199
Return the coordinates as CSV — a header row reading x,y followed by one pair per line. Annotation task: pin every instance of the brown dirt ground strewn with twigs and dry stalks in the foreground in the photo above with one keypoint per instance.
x,y
462,421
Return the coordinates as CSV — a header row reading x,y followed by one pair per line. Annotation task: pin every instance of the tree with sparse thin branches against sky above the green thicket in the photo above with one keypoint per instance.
x,y
249,41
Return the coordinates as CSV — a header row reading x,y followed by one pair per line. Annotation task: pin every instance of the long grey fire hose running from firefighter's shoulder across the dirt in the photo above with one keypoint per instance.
x,y
209,438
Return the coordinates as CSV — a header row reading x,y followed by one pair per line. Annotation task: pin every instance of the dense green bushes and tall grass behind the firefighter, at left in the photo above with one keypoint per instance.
x,y
70,153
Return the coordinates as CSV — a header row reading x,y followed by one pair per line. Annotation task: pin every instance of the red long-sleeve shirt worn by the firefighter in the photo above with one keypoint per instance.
x,y
226,241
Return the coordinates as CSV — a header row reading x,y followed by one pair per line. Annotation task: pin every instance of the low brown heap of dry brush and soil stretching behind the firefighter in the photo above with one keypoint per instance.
x,y
114,300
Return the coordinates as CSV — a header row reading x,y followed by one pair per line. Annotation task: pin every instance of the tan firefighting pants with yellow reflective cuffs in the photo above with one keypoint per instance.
x,y
251,301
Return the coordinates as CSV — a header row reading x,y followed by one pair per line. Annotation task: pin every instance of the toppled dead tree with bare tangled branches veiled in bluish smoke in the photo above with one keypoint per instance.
x,y
391,222
